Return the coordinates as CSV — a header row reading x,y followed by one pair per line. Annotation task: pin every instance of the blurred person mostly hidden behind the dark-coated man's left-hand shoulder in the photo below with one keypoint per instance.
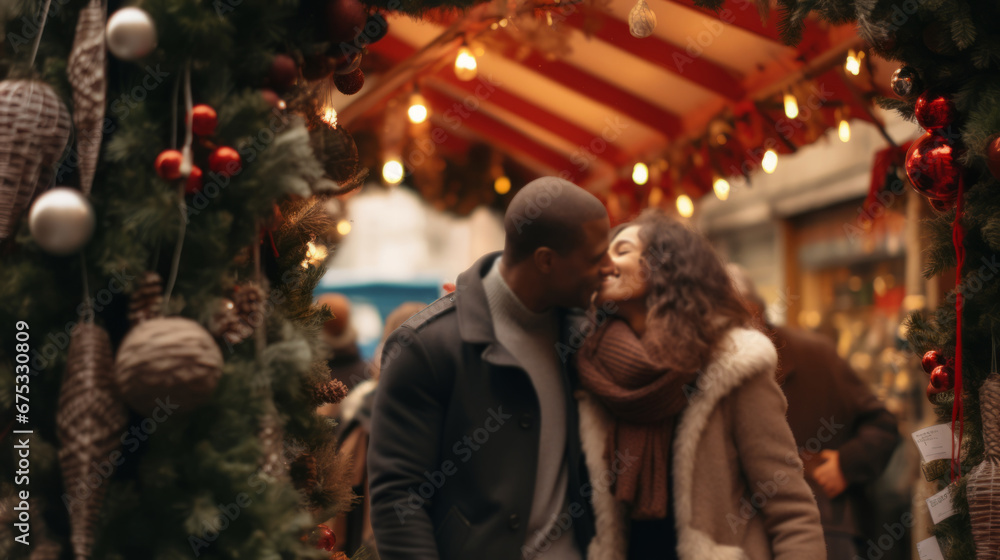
x,y
353,528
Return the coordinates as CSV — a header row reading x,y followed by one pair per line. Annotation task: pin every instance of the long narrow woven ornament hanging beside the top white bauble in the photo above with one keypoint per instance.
x,y
86,73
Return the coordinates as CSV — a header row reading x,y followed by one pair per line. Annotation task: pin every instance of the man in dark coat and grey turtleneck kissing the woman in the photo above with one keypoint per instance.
x,y
474,450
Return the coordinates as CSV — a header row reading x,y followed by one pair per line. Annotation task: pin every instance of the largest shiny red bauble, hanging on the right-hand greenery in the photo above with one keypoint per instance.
x,y
932,166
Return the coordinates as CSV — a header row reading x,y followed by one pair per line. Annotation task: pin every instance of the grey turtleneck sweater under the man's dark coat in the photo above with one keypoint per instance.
x,y
532,337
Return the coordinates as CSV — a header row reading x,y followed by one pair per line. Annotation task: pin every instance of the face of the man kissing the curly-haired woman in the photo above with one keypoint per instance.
x,y
578,274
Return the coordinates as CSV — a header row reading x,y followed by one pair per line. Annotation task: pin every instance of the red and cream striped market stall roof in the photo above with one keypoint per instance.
x,y
567,88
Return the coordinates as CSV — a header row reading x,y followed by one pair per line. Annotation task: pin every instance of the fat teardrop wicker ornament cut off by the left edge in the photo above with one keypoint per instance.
x,y
34,130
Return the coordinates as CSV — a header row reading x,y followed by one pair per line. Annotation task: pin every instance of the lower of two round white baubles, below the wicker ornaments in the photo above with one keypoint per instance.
x,y
61,221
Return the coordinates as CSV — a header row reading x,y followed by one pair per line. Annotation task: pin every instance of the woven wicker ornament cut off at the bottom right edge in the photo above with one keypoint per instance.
x,y
983,490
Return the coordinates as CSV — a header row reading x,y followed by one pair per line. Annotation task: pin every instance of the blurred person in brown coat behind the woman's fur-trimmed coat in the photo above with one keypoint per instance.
x,y
844,434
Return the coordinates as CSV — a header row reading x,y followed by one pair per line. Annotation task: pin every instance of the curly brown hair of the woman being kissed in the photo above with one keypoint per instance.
x,y
690,299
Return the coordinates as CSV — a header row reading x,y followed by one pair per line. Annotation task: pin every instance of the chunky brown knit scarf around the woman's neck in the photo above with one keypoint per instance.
x,y
644,399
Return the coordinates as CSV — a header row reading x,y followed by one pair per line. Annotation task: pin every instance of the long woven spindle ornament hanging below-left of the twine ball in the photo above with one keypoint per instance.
x,y
90,422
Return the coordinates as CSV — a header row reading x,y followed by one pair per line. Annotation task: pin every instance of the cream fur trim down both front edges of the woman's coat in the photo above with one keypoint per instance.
x,y
742,354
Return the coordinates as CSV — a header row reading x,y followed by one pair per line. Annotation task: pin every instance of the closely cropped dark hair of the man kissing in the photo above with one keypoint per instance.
x,y
548,212
